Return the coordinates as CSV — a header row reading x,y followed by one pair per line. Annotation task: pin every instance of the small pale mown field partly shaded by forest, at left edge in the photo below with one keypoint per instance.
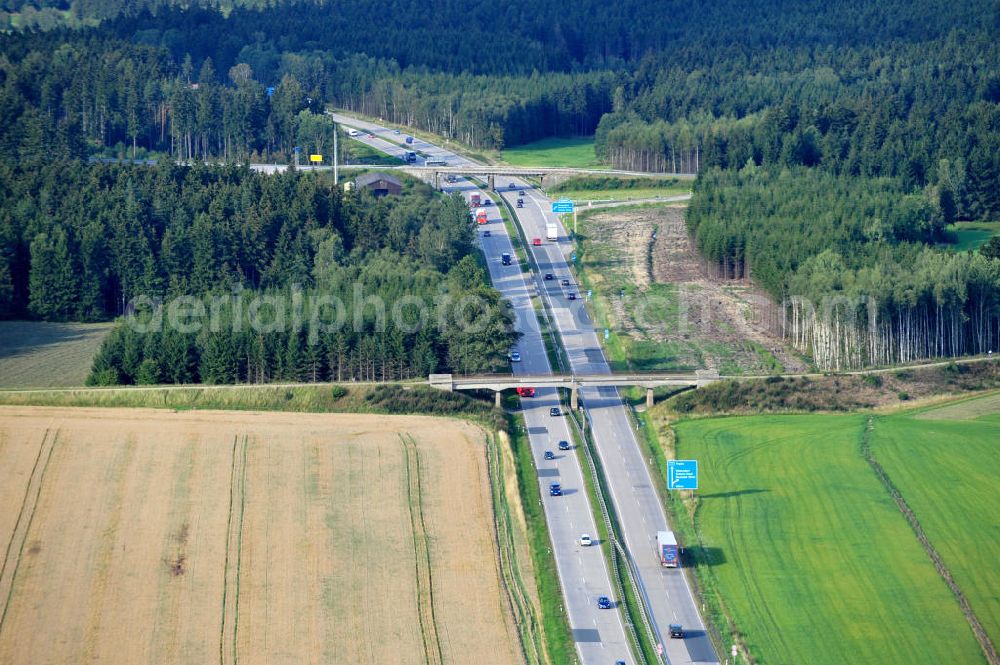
x,y
42,354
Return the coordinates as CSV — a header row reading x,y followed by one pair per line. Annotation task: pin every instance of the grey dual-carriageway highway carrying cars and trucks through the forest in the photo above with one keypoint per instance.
x,y
640,514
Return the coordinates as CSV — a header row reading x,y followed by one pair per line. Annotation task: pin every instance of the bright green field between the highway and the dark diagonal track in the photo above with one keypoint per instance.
x,y
814,560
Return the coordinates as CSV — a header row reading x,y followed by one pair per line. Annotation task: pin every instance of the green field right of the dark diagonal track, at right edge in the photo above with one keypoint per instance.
x,y
948,470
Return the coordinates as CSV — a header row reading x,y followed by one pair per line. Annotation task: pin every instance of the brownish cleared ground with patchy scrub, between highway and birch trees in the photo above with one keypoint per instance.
x,y
673,316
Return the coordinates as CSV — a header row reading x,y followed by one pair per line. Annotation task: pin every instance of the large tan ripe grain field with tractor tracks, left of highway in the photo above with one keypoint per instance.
x,y
148,536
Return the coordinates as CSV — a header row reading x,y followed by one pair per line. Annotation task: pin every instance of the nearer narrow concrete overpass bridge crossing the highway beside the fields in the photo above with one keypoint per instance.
x,y
572,382
